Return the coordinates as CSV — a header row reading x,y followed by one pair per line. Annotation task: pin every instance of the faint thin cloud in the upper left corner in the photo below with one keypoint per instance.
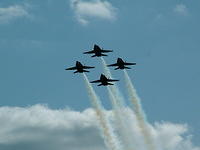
x,y
12,12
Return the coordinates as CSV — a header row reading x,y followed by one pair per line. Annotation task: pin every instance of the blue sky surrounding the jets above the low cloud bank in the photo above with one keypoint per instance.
x,y
39,39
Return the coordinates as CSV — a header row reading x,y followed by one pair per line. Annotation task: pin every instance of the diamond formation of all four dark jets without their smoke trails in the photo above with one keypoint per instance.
x,y
98,52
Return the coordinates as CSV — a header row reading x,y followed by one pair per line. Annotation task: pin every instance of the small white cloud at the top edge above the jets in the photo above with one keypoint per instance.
x,y
87,10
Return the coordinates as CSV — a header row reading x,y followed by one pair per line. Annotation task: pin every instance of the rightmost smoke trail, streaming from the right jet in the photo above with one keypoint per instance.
x,y
140,115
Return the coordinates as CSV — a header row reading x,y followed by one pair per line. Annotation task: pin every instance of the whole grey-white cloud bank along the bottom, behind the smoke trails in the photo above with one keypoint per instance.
x,y
39,127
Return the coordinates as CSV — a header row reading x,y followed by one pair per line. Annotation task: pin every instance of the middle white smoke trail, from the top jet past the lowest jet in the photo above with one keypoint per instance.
x,y
117,102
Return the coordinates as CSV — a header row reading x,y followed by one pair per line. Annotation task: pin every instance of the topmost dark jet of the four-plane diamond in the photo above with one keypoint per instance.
x,y
97,51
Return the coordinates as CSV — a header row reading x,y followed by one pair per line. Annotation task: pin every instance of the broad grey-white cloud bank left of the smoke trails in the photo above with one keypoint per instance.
x,y
39,127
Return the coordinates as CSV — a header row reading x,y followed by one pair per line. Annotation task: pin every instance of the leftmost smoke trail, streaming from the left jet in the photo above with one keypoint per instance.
x,y
110,139
